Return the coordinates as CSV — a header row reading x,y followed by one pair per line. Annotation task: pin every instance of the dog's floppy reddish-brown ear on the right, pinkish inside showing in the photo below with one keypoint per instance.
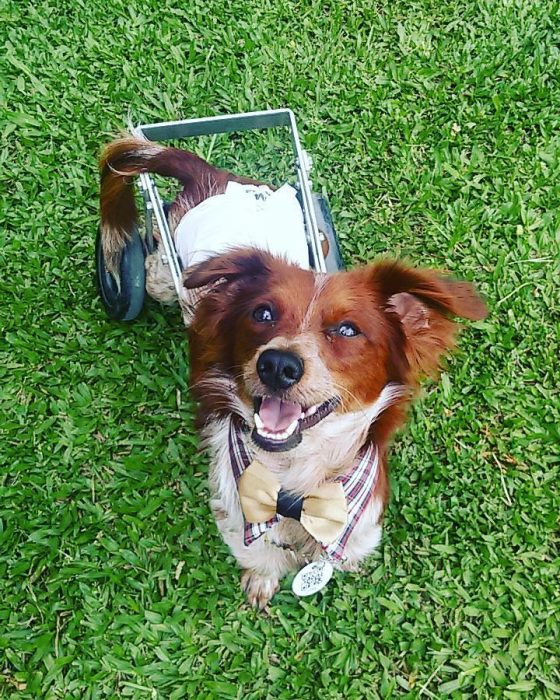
x,y
423,301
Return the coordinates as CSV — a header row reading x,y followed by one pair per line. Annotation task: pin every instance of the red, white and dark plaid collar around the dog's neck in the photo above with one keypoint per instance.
x,y
358,485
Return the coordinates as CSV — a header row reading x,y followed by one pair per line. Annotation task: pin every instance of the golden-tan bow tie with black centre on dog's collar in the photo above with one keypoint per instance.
x,y
323,512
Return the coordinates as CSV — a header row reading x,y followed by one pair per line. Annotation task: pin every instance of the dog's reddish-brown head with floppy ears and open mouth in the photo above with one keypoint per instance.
x,y
301,346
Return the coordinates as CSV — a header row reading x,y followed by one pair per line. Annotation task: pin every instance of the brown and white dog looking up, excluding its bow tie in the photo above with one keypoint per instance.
x,y
300,371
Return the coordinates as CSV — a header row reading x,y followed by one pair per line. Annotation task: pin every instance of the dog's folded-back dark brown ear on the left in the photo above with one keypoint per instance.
x,y
246,264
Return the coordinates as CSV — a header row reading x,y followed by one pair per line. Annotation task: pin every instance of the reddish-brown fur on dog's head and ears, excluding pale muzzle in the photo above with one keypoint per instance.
x,y
403,315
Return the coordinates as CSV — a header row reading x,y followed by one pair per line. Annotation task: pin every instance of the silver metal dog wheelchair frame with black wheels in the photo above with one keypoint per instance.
x,y
123,298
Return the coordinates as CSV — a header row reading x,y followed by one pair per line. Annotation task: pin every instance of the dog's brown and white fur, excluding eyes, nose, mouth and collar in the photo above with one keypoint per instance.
x,y
403,315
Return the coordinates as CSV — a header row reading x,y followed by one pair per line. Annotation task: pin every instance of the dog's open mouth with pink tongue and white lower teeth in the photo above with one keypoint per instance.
x,y
279,424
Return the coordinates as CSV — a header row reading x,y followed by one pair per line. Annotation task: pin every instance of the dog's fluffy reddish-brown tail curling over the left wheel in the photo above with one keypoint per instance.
x,y
127,157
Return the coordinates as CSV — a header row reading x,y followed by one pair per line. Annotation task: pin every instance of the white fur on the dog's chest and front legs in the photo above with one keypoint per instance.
x,y
327,449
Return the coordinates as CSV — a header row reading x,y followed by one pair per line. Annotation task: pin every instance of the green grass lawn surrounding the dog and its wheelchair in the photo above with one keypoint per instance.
x,y
435,131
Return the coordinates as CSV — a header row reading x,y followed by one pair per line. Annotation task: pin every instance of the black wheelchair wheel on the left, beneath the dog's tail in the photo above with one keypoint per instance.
x,y
124,302
